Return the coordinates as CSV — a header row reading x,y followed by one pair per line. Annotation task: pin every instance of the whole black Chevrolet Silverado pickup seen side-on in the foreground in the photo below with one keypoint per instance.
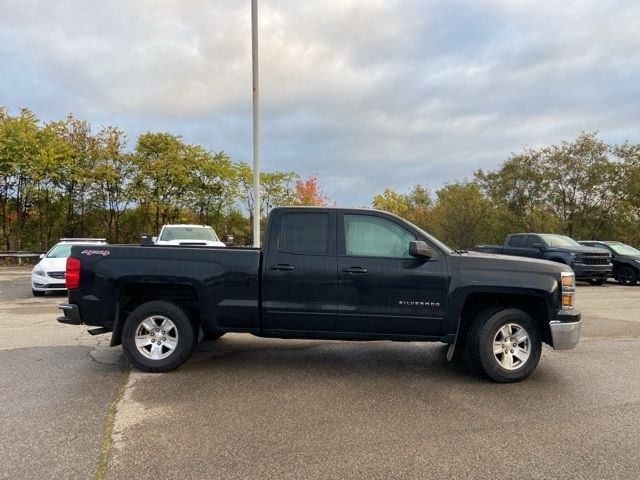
x,y
325,273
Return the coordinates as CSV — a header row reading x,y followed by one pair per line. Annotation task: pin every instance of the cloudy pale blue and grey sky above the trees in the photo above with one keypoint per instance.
x,y
366,95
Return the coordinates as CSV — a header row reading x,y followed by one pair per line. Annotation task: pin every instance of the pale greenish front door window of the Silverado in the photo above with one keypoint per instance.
x,y
370,236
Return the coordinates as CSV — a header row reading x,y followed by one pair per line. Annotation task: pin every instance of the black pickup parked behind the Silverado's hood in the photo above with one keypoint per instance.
x,y
590,264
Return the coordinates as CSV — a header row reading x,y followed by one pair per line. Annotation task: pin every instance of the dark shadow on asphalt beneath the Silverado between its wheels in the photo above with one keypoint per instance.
x,y
374,359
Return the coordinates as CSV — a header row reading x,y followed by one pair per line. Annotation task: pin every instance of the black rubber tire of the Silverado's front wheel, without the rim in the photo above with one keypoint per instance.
x,y
480,346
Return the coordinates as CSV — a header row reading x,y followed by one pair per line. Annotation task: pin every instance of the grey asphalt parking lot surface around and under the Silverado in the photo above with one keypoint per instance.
x,y
245,407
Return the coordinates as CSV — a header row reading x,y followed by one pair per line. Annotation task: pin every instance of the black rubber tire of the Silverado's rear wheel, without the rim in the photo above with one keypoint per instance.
x,y
185,332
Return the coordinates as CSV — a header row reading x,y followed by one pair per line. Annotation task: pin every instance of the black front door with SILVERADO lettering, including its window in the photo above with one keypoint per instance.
x,y
382,289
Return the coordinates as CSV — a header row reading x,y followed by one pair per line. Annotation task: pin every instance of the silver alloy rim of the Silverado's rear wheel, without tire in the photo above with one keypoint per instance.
x,y
156,337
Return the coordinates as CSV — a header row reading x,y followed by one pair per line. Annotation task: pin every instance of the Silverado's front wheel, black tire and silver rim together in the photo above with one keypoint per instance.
x,y
504,344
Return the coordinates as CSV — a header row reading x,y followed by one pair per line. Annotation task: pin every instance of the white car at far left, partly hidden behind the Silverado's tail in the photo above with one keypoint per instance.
x,y
49,274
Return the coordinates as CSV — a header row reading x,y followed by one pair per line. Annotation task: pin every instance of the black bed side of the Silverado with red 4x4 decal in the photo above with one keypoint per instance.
x,y
223,281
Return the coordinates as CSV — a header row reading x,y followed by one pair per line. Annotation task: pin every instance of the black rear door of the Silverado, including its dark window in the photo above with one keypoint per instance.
x,y
300,271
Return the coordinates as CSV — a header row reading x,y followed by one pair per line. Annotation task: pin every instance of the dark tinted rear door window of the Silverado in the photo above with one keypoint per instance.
x,y
305,233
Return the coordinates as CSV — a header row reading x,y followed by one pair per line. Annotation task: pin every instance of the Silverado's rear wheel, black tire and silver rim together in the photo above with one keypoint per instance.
x,y
158,336
